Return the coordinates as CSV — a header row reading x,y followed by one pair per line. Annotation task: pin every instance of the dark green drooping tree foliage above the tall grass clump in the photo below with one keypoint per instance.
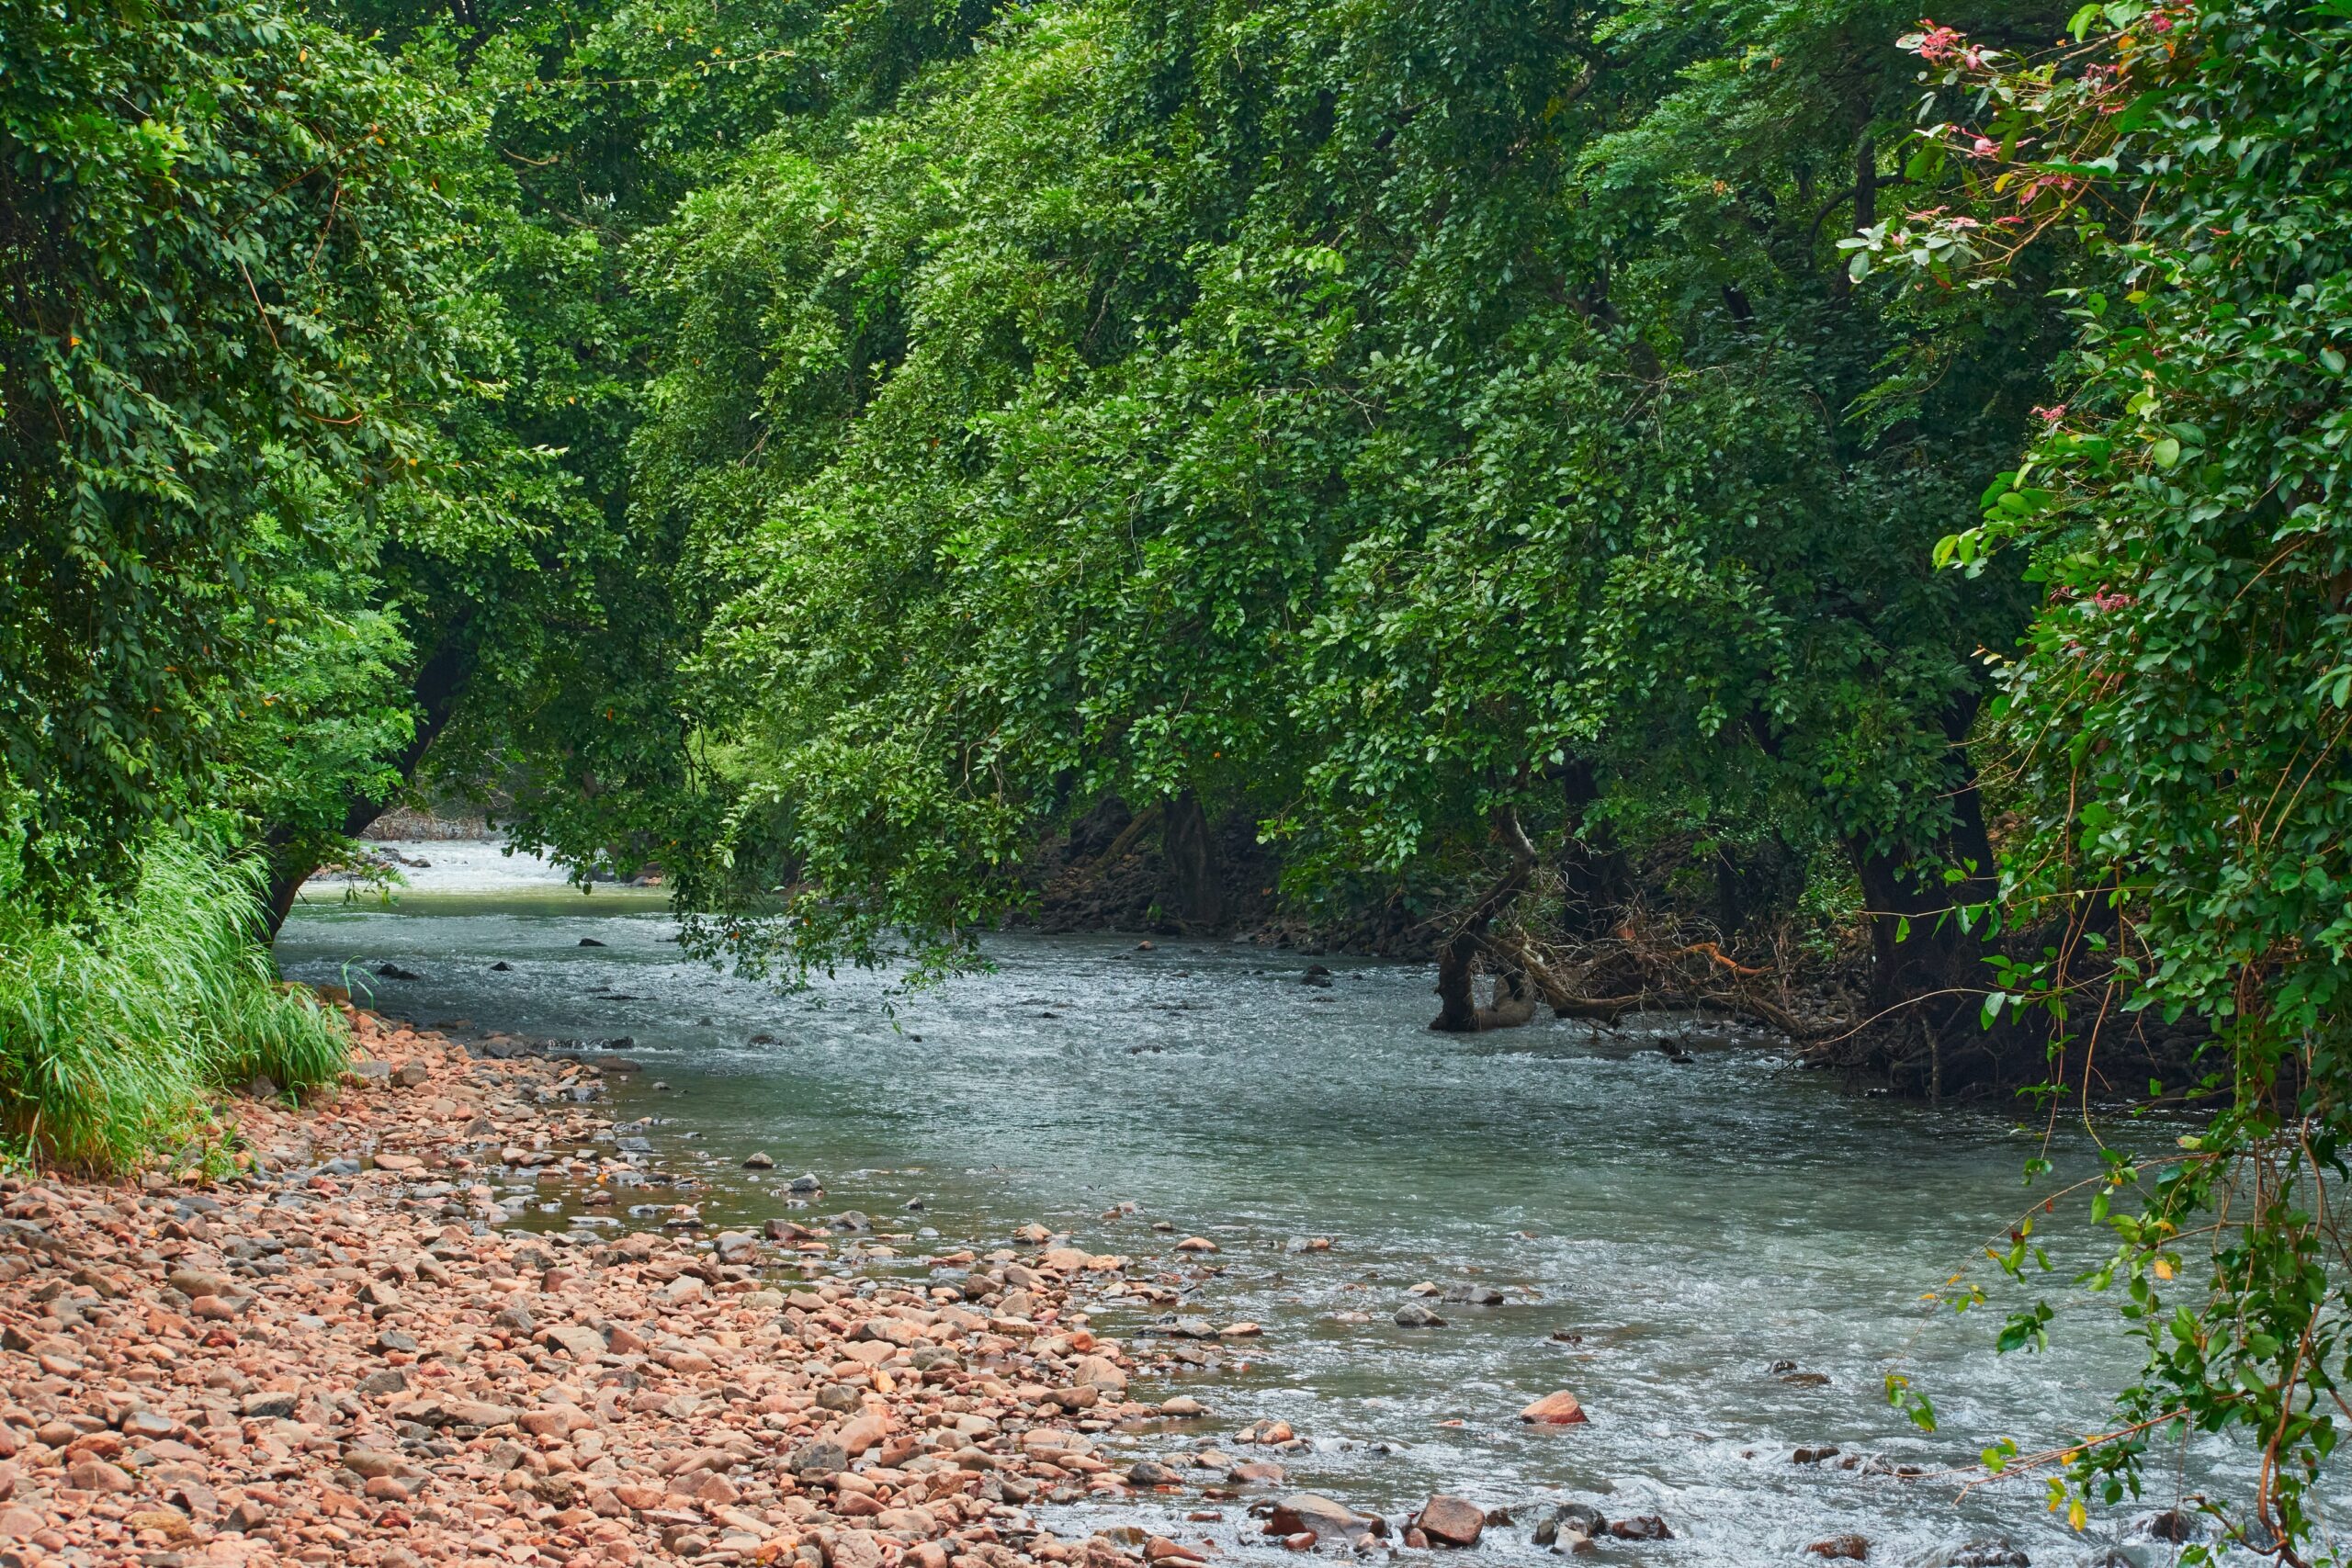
x,y
234,314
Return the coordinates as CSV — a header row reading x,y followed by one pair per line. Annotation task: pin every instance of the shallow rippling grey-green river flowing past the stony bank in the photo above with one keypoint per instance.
x,y
1695,1226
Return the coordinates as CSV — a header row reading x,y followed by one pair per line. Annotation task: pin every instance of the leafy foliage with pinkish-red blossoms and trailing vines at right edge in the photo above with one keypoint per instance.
x,y
2179,706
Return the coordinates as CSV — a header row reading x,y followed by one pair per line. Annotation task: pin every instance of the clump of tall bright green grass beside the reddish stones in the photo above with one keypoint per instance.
x,y
116,1028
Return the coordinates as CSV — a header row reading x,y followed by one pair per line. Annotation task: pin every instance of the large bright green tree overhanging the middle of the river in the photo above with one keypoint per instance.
x,y
1377,422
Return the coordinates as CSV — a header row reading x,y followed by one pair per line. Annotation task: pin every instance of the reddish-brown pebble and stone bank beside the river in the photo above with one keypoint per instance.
x,y
338,1360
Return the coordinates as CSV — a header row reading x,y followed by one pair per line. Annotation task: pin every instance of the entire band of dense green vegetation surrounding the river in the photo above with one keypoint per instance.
x,y
1650,504
